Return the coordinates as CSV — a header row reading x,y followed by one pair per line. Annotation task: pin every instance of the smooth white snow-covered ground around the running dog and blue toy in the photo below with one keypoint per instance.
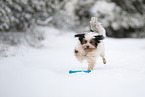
x,y
43,72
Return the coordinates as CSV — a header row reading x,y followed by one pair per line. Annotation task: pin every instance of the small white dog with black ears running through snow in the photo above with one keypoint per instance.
x,y
91,44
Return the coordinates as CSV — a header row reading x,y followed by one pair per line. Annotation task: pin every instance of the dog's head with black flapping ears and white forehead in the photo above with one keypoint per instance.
x,y
89,41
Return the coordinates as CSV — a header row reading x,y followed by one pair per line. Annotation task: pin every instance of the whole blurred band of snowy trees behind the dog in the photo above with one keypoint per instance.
x,y
121,18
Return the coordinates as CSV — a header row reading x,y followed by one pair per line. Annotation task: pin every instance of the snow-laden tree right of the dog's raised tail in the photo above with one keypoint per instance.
x,y
121,18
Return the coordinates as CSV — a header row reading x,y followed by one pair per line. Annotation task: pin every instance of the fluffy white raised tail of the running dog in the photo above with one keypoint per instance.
x,y
97,27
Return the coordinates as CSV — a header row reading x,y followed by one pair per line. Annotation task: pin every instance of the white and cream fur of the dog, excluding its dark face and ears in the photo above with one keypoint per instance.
x,y
99,51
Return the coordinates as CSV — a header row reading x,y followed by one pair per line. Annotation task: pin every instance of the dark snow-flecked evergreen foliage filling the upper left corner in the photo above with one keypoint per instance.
x,y
17,15
